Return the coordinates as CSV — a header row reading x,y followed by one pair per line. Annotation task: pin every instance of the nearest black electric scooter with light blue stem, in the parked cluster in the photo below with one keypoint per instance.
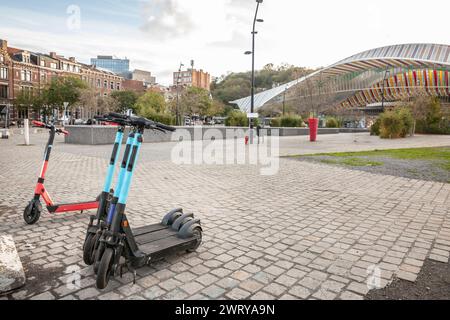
x,y
177,232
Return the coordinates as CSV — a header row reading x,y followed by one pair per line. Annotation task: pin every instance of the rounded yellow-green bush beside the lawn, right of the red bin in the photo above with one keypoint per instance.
x,y
395,124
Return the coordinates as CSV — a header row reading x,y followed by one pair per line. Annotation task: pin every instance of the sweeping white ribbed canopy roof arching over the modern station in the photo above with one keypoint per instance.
x,y
417,56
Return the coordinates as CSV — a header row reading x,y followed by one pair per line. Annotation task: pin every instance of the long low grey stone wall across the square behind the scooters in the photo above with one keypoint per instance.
x,y
98,135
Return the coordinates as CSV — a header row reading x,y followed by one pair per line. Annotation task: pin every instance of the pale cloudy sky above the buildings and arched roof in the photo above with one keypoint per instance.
x,y
159,34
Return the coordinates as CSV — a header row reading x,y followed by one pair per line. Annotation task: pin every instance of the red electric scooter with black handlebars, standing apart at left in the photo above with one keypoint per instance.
x,y
33,210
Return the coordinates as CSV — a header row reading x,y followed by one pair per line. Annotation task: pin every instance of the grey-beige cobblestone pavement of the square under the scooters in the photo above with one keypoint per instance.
x,y
311,232
